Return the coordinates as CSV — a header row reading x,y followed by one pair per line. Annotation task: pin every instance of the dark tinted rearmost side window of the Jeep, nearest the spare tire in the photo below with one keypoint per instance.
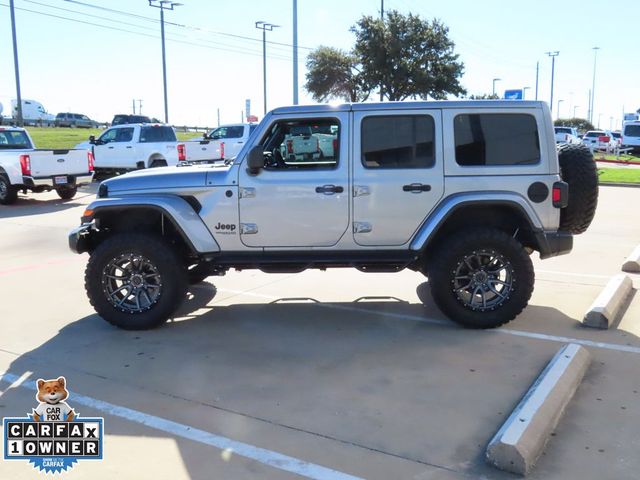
x,y
496,139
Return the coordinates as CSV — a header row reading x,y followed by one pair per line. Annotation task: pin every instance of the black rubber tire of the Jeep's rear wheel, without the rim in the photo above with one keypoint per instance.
x,y
446,260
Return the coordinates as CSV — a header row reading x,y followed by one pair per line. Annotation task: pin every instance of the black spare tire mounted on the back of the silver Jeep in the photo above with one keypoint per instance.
x,y
578,169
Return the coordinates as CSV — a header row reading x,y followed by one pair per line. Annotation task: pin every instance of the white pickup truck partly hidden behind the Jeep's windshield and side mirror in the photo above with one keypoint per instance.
x,y
220,143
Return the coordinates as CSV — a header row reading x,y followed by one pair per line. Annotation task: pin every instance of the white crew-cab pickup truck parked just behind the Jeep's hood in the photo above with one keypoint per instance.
x,y
134,146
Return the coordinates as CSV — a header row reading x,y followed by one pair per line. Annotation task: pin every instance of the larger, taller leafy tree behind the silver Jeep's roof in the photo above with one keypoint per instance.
x,y
407,56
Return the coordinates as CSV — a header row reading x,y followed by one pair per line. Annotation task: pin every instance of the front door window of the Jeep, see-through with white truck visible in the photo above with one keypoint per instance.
x,y
290,145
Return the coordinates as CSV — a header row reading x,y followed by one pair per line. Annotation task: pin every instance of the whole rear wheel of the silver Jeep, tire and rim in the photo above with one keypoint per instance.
x,y
481,278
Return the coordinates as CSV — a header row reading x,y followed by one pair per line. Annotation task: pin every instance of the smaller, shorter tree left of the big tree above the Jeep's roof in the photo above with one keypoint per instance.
x,y
333,73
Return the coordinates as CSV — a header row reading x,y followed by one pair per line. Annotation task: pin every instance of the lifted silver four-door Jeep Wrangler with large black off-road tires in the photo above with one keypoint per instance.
x,y
463,192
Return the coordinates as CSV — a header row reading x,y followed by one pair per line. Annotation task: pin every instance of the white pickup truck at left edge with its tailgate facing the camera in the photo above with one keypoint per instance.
x,y
23,167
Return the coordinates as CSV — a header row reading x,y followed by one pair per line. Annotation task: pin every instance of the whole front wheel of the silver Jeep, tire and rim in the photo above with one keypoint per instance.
x,y
135,281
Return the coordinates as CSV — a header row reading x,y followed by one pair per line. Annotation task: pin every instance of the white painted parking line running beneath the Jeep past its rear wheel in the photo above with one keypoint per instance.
x,y
416,318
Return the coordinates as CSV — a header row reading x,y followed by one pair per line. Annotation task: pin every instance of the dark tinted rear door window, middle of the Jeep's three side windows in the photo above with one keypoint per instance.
x,y
398,141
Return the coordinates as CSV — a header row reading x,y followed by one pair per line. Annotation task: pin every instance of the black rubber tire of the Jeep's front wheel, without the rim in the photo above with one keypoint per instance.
x,y
173,279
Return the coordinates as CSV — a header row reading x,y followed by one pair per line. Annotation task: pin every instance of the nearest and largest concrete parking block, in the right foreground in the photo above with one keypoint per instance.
x,y
521,439
